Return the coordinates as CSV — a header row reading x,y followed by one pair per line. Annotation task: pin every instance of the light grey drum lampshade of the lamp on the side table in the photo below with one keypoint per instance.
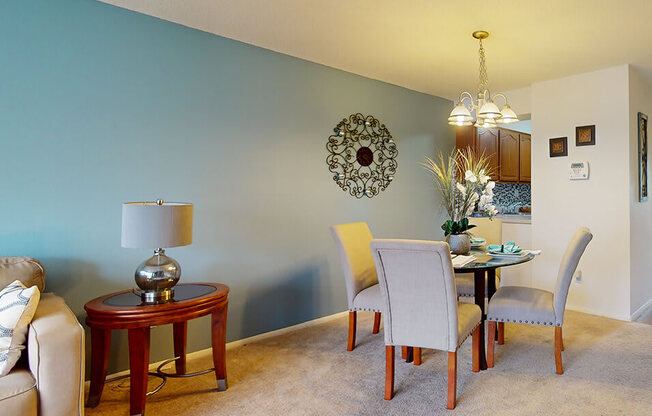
x,y
150,225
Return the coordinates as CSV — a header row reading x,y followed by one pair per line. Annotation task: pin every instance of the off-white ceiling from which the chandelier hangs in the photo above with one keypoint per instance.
x,y
426,45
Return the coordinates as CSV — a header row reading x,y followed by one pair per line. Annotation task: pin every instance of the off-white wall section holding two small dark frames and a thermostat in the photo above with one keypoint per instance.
x,y
560,206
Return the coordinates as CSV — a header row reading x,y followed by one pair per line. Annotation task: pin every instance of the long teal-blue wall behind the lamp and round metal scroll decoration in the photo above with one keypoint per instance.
x,y
100,105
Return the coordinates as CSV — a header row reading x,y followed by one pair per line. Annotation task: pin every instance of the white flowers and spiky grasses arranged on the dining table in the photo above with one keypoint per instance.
x,y
464,182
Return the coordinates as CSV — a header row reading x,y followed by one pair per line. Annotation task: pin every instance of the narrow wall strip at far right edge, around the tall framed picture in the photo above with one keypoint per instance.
x,y
640,99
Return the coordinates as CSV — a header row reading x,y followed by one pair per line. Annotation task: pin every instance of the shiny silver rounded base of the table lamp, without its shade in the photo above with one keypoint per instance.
x,y
156,277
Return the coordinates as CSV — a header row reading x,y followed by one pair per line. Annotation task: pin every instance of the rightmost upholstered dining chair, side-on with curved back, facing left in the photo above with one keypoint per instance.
x,y
526,305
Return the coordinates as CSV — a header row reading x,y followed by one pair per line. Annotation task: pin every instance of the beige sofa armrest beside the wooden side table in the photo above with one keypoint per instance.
x,y
55,349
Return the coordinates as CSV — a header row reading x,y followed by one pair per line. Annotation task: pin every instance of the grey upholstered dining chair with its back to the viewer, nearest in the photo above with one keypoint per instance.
x,y
420,306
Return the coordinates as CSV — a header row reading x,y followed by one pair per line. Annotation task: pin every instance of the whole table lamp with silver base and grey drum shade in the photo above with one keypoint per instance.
x,y
157,225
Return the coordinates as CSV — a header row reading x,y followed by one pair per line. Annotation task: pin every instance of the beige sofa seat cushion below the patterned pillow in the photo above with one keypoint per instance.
x,y
18,394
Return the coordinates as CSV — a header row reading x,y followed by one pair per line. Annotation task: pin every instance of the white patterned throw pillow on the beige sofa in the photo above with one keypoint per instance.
x,y
17,307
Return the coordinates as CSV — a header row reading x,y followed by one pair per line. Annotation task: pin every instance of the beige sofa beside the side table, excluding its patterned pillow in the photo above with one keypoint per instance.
x,y
49,377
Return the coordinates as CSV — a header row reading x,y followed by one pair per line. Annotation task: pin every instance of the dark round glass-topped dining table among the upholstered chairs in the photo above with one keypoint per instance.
x,y
484,270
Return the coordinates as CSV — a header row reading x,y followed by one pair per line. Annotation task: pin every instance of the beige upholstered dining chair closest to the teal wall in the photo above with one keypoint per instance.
x,y
362,288
